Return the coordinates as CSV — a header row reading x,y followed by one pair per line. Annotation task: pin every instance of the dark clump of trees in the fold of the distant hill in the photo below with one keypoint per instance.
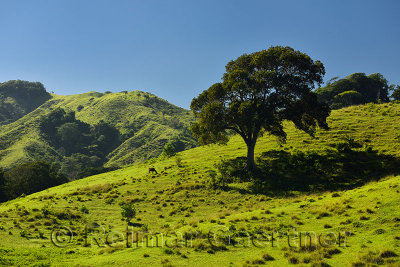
x,y
82,145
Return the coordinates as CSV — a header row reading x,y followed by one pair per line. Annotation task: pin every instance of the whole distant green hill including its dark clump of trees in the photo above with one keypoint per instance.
x,y
94,129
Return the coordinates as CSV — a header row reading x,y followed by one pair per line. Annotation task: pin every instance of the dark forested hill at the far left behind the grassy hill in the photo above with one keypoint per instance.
x,y
18,98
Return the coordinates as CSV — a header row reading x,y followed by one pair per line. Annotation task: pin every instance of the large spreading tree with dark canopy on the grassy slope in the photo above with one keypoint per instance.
x,y
258,92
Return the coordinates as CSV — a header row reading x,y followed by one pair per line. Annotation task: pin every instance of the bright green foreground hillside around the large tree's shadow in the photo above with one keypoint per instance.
x,y
179,200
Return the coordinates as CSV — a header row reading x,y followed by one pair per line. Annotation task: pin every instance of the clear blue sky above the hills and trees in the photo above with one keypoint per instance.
x,y
176,49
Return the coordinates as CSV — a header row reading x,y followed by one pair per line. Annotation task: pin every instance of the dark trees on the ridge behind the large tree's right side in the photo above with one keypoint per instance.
x,y
355,89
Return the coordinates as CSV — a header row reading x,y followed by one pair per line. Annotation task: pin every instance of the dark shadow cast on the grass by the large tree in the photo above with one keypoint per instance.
x,y
282,171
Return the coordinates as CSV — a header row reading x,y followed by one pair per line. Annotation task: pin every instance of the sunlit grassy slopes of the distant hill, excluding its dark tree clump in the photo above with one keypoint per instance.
x,y
145,122
